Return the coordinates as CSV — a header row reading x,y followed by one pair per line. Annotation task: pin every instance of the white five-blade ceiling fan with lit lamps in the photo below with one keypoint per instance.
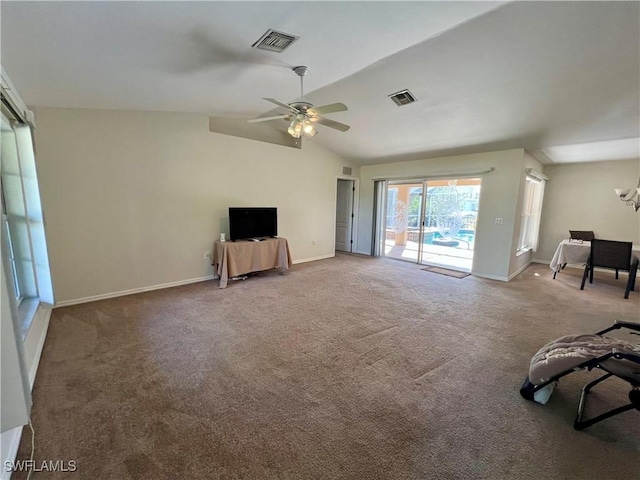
x,y
305,115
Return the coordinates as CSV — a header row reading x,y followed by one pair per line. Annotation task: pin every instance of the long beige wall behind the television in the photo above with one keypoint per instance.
x,y
134,199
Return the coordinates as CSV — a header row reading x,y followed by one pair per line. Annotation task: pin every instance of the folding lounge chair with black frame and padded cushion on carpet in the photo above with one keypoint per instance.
x,y
618,358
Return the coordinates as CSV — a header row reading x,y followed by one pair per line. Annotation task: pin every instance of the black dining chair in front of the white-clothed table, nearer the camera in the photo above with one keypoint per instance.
x,y
613,255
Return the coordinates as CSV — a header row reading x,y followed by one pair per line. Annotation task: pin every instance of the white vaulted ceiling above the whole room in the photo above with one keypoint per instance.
x,y
487,75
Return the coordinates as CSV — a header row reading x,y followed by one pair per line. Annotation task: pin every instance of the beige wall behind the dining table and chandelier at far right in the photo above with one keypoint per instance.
x,y
580,196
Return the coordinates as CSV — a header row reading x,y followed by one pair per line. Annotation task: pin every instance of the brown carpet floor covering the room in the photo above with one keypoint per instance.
x,y
347,368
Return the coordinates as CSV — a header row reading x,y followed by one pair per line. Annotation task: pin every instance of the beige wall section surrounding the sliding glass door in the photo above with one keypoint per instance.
x,y
500,189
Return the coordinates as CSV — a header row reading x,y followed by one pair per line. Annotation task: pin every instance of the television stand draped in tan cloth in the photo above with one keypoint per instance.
x,y
238,258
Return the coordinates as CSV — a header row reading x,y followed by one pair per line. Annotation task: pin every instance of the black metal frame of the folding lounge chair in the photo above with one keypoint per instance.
x,y
528,389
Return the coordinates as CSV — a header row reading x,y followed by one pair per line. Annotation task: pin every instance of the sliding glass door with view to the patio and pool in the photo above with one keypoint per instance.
x,y
432,222
